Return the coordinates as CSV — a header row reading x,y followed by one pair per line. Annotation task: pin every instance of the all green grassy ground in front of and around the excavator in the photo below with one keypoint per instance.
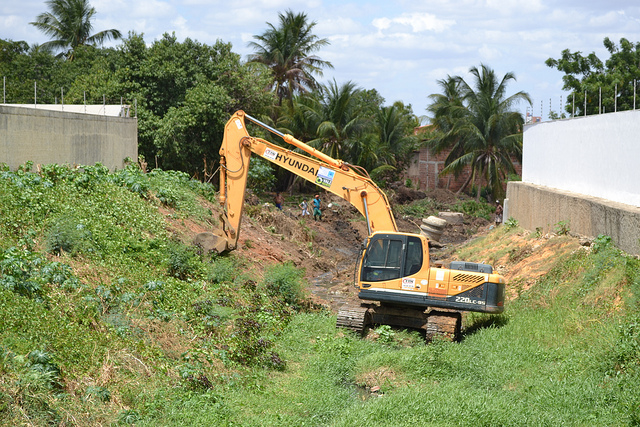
x,y
143,330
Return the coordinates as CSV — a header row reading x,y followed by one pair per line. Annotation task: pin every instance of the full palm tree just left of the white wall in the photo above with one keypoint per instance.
x,y
480,126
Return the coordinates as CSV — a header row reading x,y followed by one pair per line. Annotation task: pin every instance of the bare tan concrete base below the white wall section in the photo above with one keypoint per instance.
x,y
538,206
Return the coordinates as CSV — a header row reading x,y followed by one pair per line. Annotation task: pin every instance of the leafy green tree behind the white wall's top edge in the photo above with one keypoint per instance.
x,y
613,81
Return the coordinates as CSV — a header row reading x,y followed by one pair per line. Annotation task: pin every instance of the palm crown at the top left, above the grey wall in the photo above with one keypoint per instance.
x,y
69,25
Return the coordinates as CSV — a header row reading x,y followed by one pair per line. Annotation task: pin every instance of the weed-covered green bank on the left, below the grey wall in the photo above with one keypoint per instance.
x,y
91,279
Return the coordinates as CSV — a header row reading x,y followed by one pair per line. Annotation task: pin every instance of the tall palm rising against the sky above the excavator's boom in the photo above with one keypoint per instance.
x,y
287,51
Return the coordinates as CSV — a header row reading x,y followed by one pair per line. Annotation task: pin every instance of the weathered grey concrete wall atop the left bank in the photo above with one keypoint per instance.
x,y
46,137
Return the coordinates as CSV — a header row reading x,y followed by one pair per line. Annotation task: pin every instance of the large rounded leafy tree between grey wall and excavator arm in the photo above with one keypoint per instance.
x,y
185,93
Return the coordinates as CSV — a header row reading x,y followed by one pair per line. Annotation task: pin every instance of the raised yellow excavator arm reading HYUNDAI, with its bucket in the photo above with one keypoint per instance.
x,y
349,182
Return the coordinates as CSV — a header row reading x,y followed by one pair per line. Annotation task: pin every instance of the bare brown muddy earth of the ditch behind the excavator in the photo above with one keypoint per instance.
x,y
328,249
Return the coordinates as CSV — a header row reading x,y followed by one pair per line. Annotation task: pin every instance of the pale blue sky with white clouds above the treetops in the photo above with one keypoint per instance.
x,y
401,48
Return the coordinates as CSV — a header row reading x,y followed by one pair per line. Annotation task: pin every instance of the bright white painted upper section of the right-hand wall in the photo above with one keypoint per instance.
x,y
596,155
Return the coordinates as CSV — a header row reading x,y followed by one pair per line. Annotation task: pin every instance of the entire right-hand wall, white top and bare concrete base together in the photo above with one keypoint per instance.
x,y
582,171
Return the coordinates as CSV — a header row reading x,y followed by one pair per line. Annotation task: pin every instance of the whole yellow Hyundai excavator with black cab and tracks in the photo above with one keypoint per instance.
x,y
393,272
